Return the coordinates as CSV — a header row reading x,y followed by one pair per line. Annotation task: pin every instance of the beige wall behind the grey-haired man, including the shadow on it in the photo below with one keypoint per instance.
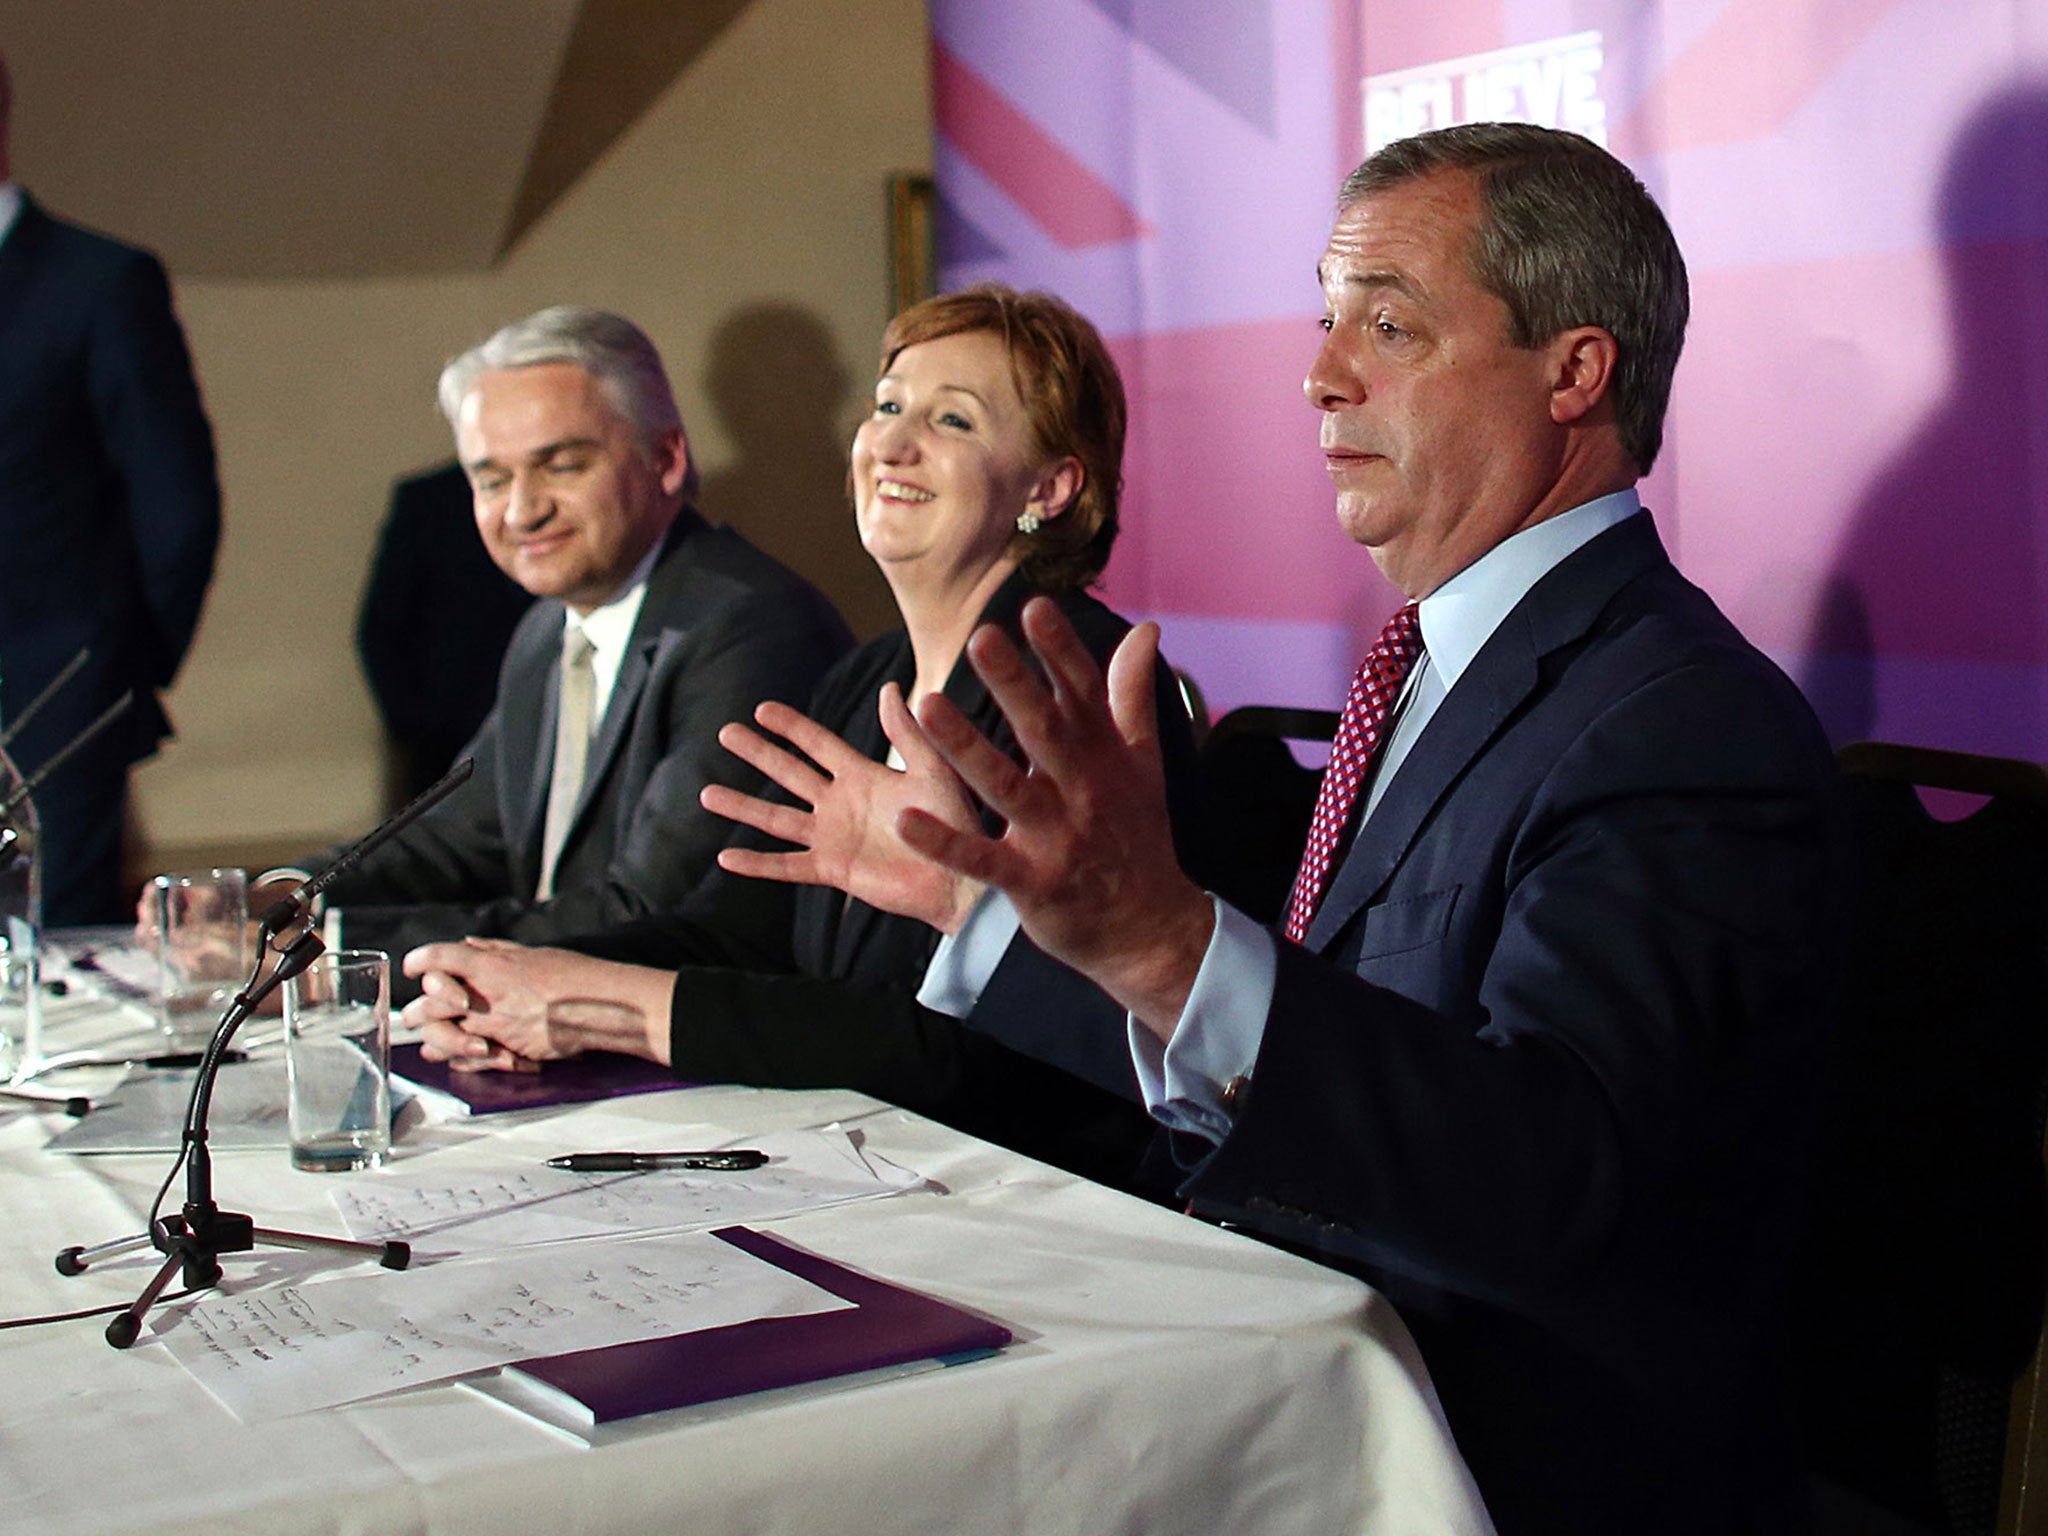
x,y
742,224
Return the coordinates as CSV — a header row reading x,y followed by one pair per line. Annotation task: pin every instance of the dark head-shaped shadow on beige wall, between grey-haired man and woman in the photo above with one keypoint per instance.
x,y
779,386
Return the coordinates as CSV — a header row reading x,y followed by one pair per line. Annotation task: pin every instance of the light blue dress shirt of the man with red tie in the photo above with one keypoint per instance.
x,y
1224,1021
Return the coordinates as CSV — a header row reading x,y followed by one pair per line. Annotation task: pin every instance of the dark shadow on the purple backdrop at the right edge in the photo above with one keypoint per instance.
x,y
1938,585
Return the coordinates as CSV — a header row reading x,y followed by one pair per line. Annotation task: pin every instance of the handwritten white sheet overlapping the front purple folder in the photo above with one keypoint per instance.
x,y
292,1349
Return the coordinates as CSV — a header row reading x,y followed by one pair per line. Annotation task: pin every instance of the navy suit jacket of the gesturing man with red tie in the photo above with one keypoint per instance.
x,y
1543,1072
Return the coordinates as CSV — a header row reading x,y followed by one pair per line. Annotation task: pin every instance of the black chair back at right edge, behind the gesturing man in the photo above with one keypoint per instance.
x,y
1922,1293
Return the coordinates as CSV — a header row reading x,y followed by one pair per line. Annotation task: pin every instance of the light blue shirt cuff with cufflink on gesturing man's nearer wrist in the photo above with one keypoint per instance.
x,y
1220,1031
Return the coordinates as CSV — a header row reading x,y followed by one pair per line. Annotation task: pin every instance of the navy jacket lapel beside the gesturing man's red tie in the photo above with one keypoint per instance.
x,y
1558,611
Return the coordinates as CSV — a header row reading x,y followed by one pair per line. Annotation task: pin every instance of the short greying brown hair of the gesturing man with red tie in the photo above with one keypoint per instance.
x,y
1568,239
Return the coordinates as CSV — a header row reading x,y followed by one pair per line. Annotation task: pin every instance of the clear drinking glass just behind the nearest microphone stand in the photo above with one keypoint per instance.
x,y
339,1060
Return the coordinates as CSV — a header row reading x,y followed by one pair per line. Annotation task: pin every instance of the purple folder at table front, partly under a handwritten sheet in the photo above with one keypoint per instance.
x,y
888,1326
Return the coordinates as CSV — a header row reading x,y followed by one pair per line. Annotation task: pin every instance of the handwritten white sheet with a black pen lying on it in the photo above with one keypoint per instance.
x,y
472,1213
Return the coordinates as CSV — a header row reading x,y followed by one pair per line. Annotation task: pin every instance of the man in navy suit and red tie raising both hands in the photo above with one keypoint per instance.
x,y
1537,1050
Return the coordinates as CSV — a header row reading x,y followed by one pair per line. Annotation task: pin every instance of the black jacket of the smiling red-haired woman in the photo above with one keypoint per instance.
x,y
804,988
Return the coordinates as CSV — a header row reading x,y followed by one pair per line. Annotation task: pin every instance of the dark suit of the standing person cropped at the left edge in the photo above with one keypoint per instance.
x,y
110,517
